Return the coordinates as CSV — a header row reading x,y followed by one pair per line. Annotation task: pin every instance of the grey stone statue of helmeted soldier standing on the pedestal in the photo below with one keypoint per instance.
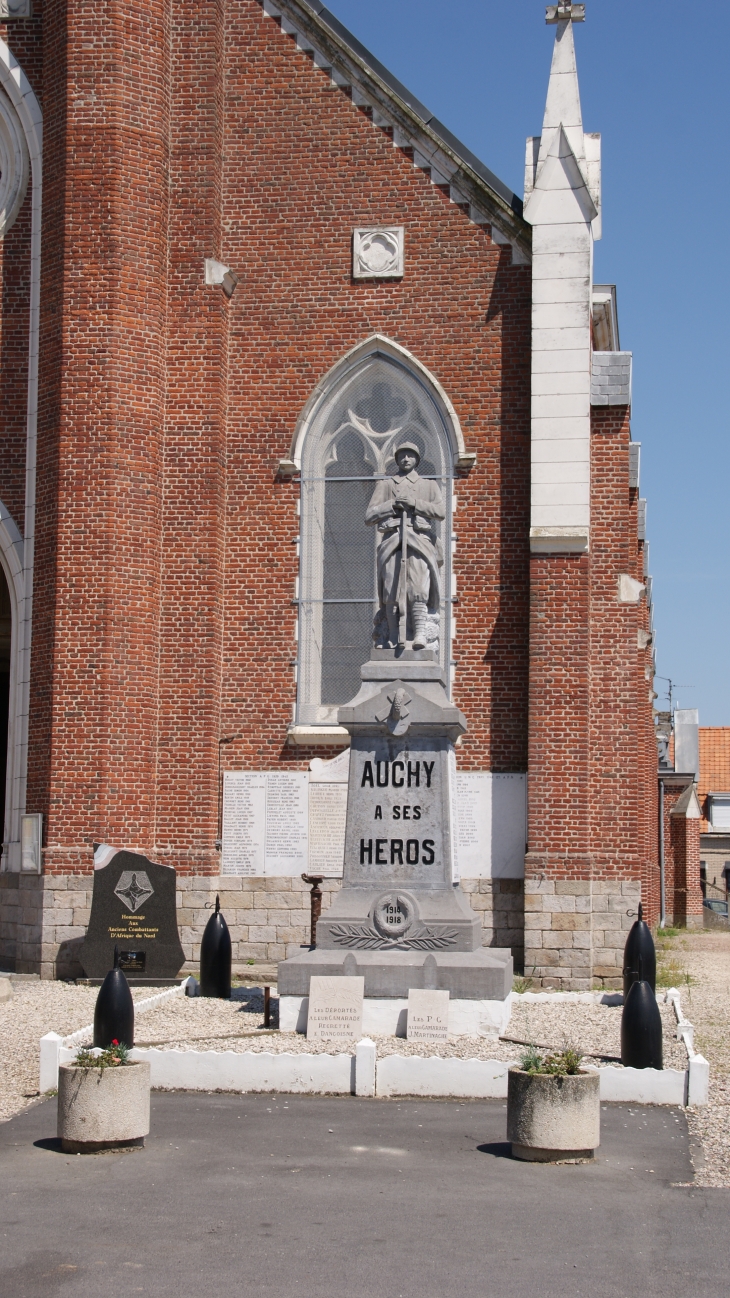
x,y
410,555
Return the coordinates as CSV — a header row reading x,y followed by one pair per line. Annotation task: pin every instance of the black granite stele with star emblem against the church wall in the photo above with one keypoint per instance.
x,y
133,908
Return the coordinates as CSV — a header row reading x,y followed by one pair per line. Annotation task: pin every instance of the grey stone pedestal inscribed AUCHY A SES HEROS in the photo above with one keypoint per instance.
x,y
401,918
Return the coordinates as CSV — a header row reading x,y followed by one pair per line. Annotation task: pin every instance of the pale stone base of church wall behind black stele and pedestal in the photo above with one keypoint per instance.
x,y
44,918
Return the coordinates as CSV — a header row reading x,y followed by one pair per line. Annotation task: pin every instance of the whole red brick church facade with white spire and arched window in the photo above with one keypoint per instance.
x,y
242,263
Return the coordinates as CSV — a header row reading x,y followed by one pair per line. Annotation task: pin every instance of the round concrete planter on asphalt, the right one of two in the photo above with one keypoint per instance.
x,y
553,1120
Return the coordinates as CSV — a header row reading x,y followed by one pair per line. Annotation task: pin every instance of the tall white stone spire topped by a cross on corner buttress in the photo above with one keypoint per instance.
x,y
562,204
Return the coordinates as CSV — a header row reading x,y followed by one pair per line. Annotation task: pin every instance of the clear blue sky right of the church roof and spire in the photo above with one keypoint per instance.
x,y
654,81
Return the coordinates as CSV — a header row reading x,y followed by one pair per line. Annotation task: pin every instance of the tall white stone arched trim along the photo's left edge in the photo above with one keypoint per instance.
x,y
19,92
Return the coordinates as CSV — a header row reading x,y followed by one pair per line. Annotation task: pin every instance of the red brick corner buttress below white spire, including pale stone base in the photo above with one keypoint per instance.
x,y
588,776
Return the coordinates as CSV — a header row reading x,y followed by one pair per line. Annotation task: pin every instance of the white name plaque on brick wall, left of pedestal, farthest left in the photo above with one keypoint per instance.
x,y
266,824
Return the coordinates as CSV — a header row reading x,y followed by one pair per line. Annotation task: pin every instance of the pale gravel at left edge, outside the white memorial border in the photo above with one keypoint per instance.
x,y
37,1009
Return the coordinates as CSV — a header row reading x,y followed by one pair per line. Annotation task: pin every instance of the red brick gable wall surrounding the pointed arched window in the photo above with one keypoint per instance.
x,y
166,567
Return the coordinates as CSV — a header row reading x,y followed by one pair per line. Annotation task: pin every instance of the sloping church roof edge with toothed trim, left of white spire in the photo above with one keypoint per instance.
x,y
316,32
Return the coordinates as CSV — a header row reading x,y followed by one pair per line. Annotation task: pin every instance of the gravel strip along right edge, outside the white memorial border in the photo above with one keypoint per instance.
x,y
706,957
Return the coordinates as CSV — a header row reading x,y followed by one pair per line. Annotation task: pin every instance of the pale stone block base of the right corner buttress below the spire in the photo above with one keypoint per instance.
x,y
576,931
